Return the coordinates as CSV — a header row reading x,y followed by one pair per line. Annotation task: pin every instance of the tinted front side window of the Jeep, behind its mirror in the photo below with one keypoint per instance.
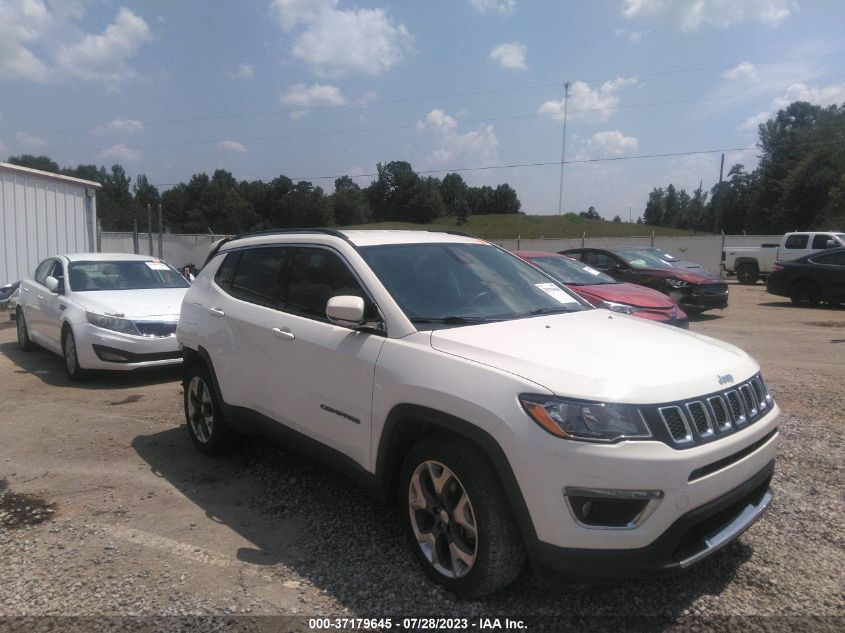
x,y
316,276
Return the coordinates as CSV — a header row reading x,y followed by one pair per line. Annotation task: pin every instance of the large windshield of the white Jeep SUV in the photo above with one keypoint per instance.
x,y
443,285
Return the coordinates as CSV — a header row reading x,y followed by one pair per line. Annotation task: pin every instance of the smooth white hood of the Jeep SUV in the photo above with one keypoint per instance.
x,y
600,355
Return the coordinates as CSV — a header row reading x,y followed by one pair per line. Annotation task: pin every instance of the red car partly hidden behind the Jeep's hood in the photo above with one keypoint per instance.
x,y
603,291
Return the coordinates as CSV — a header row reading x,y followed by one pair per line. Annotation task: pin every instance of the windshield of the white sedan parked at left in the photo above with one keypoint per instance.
x,y
123,275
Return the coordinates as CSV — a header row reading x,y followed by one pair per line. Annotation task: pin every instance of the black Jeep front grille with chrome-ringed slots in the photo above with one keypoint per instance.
x,y
692,422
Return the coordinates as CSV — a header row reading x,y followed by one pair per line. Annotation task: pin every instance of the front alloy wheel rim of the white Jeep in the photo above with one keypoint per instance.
x,y
443,519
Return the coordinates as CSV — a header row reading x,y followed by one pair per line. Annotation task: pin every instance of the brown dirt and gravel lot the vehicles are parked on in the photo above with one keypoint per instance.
x,y
106,508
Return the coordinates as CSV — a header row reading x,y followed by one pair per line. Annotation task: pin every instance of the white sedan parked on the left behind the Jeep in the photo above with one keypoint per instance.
x,y
103,311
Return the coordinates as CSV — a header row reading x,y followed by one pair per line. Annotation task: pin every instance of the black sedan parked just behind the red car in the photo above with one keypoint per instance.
x,y
693,292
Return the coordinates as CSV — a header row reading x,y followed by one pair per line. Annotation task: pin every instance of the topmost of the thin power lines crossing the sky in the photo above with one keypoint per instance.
x,y
367,103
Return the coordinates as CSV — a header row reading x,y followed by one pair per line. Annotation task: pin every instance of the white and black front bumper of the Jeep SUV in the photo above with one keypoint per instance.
x,y
695,484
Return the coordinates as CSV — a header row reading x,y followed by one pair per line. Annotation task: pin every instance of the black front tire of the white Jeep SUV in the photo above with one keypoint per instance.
x,y
498,550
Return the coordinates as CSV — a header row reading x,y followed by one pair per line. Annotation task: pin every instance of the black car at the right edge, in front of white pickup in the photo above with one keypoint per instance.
x,y
811,279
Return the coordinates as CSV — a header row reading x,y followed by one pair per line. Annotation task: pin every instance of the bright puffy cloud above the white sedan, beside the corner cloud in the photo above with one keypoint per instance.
x,y
103,58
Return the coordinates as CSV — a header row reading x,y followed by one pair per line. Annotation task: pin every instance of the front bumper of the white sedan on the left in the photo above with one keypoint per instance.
x,y
99,348
